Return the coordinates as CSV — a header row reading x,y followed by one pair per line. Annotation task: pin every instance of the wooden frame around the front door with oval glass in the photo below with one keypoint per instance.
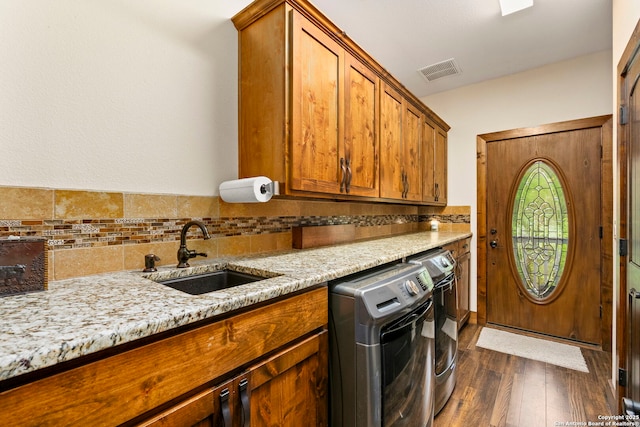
x,y
606,197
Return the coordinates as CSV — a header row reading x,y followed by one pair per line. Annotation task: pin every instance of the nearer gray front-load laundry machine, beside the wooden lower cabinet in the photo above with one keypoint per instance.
x,y
382,329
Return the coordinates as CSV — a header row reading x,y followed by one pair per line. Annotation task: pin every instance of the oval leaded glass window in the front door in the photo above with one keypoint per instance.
x,y
540,230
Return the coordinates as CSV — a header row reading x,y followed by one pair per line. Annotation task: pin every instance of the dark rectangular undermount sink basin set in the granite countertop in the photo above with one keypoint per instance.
x,y
209,282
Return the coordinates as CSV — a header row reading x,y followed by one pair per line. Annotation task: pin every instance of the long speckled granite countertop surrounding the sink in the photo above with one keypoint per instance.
x,y
80,316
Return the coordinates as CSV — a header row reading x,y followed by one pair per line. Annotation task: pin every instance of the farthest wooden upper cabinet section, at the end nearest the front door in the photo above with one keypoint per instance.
x,y
434,166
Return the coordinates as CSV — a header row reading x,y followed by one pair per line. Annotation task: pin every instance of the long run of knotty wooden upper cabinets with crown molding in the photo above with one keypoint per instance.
x,y
315,110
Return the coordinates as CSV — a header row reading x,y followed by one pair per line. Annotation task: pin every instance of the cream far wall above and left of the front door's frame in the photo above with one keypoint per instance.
x,y
568,90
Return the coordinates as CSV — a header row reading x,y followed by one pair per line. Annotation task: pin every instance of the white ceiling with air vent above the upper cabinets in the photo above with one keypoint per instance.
x,y
406,35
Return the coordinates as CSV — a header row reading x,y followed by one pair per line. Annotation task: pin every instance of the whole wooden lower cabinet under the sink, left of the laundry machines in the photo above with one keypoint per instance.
x,y
266,366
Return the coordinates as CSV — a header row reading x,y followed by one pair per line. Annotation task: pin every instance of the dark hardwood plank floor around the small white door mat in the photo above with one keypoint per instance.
x,y
497,389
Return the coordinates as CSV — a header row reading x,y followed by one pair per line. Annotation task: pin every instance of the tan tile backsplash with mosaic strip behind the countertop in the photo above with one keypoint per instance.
x,y
94,232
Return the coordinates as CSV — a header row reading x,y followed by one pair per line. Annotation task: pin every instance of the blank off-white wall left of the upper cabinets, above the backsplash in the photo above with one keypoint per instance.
x,y
119,95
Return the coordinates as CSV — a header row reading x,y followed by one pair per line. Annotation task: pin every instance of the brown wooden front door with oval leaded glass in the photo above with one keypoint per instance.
x,y
543,224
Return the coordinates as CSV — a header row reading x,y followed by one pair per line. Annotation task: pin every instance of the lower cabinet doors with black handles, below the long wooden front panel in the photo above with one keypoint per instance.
x,y
281,390
